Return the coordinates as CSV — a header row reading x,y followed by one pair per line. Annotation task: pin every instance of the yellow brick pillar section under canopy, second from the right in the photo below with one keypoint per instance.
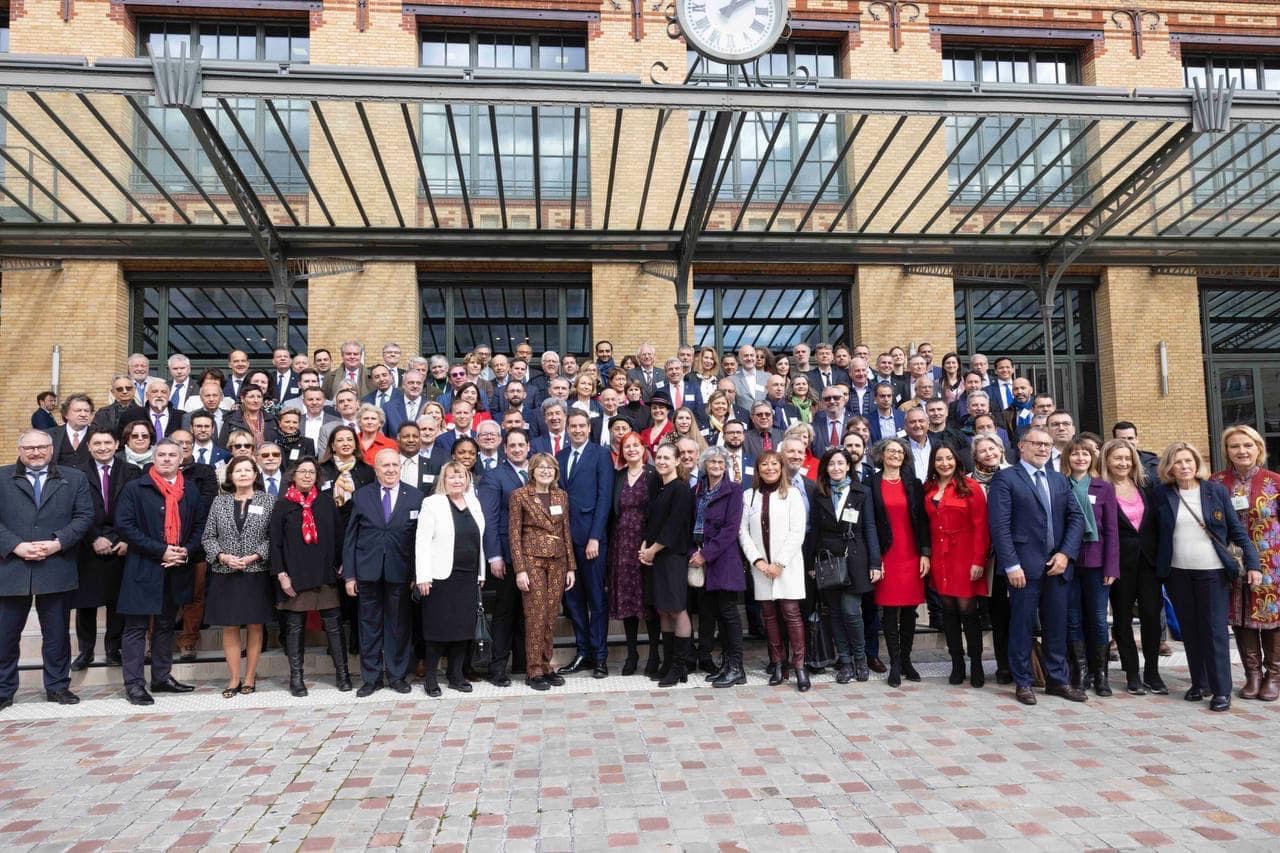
x,y
893,308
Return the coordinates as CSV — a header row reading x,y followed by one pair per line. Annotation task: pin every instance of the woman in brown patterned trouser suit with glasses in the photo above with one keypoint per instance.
x,y
543,562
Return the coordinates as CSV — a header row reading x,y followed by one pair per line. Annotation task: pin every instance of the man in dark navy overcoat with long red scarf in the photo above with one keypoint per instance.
x,y
161,518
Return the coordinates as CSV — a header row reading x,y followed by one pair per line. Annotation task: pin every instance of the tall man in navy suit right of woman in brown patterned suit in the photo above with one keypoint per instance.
x,y
587,475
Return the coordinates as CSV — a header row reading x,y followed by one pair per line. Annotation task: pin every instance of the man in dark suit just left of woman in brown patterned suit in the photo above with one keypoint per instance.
x,y
495,495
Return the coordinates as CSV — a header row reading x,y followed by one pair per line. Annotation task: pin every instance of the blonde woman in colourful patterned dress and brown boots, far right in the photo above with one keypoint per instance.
x,y
1254,610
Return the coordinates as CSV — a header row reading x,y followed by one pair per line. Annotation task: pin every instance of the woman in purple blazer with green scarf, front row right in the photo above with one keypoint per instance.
x,y
1098,567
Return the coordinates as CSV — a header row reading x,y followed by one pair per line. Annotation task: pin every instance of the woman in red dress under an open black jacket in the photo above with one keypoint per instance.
x,y
903,530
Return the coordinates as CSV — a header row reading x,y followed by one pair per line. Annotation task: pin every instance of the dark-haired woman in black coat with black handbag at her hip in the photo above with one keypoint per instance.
x,y
843,521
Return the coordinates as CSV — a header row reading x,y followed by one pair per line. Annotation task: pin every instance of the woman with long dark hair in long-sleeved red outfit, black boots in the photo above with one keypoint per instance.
x,y
958,527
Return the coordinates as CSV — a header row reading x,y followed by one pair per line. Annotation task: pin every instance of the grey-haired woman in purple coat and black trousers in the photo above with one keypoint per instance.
x,y
717,516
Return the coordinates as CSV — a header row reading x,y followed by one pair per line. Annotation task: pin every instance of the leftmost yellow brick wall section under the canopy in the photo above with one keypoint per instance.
x,y
84,309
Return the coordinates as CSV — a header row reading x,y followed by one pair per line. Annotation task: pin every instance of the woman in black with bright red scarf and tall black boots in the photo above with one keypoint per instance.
x,y
307,550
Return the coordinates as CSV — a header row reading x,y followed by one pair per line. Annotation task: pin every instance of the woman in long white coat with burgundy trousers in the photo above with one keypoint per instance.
x,y
772,539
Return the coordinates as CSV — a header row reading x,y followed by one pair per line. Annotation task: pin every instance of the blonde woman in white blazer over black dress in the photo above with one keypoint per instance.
x,y
450,567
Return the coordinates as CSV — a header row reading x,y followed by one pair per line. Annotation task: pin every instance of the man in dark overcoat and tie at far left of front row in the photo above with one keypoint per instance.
x,y
45,512
